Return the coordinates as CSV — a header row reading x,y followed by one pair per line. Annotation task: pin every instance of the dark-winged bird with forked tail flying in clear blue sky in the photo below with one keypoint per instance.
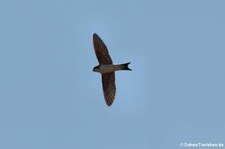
x,y
107,69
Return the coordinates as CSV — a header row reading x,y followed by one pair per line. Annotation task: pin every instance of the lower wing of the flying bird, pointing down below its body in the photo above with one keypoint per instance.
x,y
109,87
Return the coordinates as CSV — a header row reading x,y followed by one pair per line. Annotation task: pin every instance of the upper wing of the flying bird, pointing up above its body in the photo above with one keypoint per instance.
x,y
101,50
